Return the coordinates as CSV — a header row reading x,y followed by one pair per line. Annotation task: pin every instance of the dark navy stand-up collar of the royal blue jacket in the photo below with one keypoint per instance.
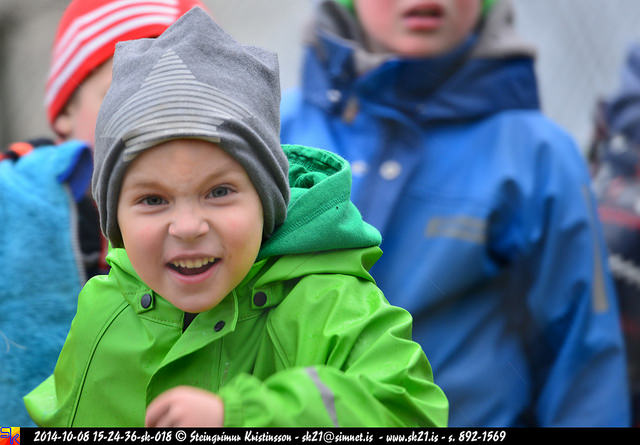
x,y
449,88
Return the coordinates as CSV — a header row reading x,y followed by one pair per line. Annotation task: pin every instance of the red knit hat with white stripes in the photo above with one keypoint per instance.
x,y
87,35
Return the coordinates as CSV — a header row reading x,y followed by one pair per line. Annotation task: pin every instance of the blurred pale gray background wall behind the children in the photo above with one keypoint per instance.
x,y
581,45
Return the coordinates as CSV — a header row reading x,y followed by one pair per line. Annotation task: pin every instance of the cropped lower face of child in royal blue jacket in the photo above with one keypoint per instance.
x,y
418,28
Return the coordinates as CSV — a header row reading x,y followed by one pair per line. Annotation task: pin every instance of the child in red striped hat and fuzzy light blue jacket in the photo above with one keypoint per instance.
x,y
50,238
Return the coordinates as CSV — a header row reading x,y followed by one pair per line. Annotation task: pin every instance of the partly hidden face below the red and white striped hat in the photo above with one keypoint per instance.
x,y
78,118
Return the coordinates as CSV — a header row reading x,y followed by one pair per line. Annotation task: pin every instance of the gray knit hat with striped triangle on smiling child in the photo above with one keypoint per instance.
x,y
194,82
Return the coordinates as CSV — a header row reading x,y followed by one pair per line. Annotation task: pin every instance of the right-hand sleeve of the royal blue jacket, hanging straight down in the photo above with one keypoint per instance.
x,y
574,334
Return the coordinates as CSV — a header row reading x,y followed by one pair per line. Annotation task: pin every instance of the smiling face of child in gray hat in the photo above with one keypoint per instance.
x,y
191,221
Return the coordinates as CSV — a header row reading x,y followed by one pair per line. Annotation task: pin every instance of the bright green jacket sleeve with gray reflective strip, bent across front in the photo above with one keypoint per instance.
x,y
347,359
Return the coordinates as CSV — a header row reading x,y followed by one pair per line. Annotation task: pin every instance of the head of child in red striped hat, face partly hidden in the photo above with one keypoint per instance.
x,y
80,69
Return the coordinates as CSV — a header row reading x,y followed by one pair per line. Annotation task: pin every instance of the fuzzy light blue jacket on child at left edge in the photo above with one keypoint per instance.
x,y
41,272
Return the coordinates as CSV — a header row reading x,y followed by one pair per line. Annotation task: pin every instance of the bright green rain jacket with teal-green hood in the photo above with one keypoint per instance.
x,y
307,339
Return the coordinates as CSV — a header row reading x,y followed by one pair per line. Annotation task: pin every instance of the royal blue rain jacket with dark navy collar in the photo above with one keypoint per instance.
x,y
490,234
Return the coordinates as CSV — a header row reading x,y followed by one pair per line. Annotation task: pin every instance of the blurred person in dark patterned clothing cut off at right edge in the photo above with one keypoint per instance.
x,y
615,156
